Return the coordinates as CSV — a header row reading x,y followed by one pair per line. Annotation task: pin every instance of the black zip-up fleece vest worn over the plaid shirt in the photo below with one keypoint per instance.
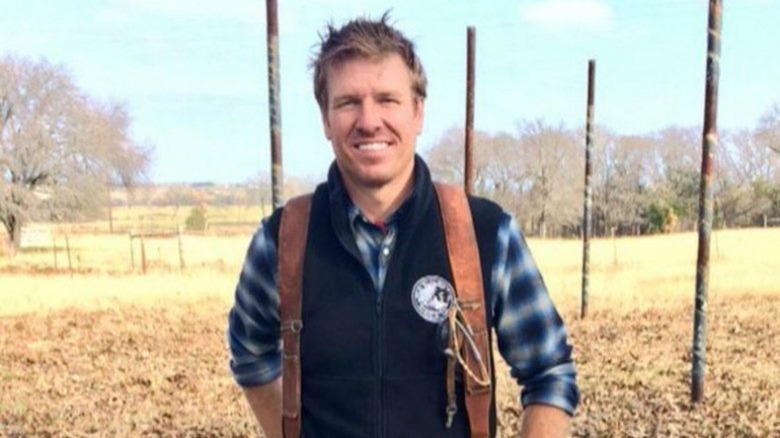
x,y
371,365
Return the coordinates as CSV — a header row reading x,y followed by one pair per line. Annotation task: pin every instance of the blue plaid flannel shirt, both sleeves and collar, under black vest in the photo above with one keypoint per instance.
x,y
531,336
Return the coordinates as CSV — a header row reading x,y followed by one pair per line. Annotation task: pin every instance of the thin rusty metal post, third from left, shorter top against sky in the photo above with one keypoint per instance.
x,y
587,220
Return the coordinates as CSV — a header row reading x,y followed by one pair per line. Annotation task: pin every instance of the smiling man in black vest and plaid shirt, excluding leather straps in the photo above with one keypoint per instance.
x,y
376,280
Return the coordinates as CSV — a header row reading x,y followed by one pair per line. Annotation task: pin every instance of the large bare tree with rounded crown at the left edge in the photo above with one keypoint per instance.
x,y
60,151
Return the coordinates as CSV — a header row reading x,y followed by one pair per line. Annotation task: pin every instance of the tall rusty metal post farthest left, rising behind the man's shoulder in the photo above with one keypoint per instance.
x,y
274,103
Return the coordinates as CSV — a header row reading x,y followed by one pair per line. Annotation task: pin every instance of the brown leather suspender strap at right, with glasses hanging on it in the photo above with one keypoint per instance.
x,y
467,275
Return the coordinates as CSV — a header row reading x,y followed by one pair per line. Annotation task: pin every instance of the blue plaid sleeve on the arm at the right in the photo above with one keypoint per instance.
x,y
531,335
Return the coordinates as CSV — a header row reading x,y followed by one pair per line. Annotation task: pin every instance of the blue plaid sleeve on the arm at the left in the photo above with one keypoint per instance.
x,y
253,335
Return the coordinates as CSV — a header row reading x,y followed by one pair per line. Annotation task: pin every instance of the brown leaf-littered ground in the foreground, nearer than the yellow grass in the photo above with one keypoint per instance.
x,y
162,371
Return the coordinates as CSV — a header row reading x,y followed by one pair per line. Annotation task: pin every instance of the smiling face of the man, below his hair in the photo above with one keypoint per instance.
x,y
372,119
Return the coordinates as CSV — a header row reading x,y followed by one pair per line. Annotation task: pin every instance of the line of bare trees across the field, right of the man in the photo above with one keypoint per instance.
x,y
642,184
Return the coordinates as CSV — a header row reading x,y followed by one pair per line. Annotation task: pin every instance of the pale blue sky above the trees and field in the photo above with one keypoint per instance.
x,y
193,73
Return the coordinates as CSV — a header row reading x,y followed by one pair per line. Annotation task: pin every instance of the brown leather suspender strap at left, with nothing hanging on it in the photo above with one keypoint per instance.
x,y
292,244
